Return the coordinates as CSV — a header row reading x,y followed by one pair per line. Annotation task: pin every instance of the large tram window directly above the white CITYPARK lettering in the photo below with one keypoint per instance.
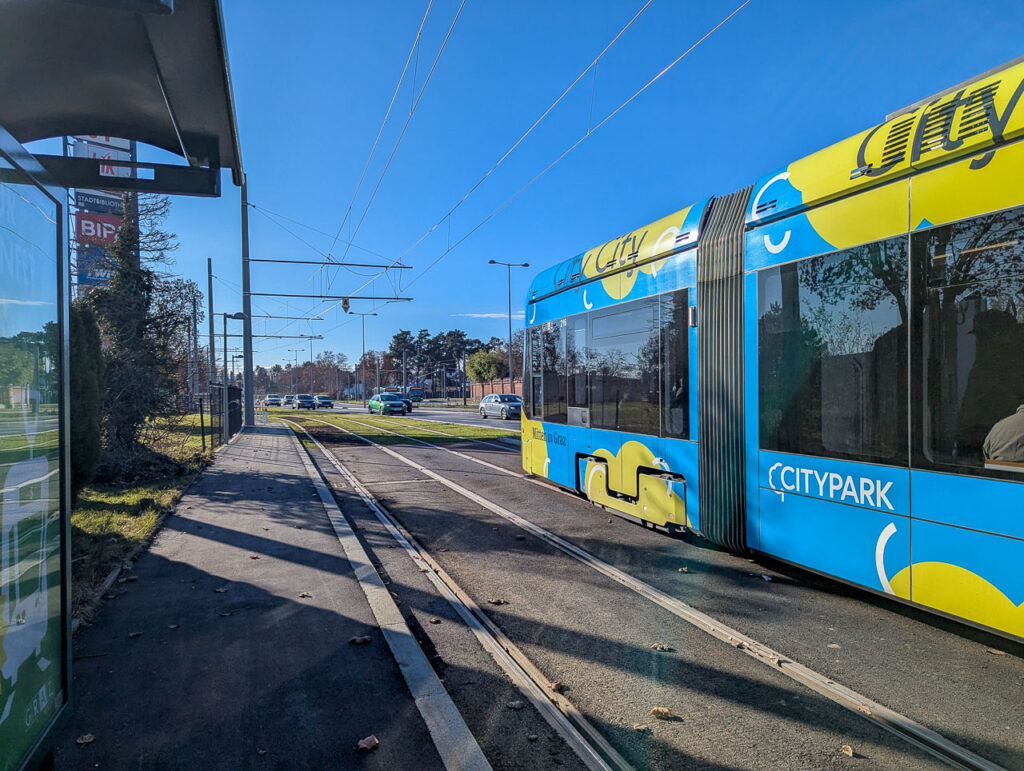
x,y
832,347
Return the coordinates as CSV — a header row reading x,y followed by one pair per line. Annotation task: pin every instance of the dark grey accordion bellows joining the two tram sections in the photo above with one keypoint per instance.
x,y
720,357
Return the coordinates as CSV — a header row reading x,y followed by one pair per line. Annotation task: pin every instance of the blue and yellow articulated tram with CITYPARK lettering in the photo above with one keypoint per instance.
x,y
827,367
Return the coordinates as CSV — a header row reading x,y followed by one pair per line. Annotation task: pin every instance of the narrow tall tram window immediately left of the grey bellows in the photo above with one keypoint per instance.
x,y
675,365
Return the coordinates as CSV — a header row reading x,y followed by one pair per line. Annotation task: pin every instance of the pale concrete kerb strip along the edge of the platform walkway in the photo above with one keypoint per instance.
x,y
455,743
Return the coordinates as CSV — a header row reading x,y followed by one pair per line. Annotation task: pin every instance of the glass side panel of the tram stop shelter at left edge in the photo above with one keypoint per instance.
x,y
32,644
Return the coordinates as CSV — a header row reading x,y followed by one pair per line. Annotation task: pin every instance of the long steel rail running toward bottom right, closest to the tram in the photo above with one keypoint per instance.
x,y
901,725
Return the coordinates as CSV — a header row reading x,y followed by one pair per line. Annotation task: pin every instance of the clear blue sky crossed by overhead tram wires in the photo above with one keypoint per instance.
x,y
312,85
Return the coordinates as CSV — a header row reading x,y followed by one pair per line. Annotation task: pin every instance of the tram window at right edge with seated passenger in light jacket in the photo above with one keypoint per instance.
x,y
968,375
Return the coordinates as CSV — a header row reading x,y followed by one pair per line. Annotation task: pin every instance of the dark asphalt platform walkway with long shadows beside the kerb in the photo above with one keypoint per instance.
x,y
231,650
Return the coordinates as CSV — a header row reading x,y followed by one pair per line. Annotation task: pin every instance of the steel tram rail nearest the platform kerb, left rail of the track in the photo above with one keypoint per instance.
x,y
506,655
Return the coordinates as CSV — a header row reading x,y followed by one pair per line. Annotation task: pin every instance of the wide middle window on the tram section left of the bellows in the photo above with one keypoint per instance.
x,y
625,346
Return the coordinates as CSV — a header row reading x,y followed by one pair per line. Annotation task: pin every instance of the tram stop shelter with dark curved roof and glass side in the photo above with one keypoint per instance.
x,y
152,72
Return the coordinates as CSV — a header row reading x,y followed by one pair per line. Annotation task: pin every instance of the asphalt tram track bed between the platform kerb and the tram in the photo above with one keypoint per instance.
x,y
617,655
